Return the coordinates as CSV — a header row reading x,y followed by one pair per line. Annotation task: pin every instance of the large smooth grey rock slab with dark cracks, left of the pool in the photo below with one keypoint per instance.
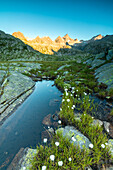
x,y
17,88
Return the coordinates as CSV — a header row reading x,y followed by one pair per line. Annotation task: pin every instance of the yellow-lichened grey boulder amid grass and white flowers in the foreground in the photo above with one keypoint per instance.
x,y
74,136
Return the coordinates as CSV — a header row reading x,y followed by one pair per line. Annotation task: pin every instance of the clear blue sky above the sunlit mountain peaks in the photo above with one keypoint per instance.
x,y
80,19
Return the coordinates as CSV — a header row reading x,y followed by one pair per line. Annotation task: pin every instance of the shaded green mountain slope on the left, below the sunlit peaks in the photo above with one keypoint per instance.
x,y
13,48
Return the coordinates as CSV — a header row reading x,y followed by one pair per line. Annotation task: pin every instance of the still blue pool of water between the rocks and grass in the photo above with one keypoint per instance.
x,y
23,128
